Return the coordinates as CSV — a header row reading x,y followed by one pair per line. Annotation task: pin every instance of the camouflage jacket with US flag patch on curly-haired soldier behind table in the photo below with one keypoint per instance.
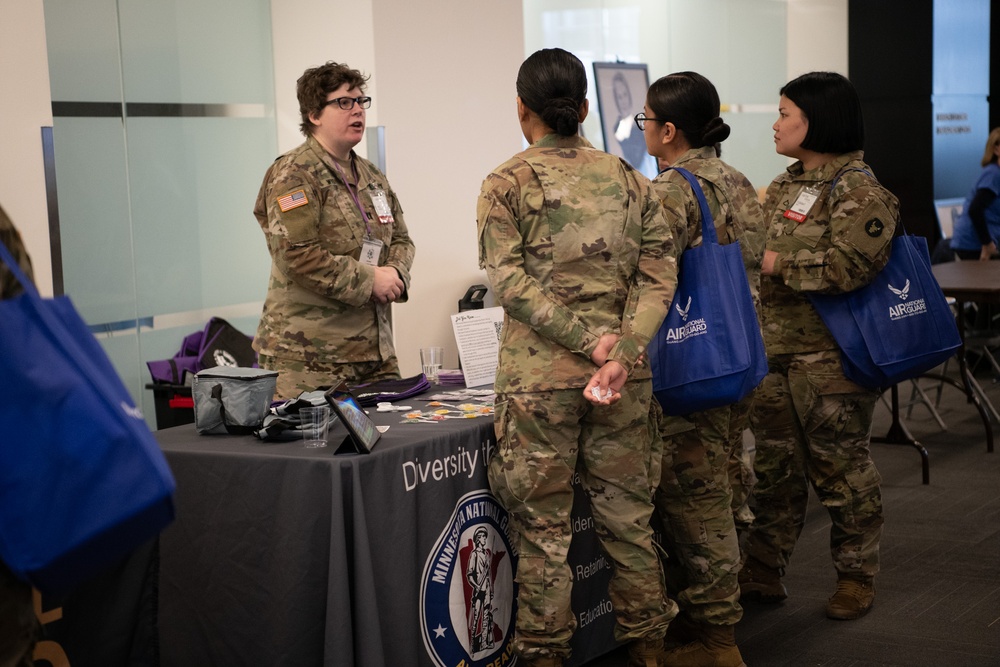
x,y
318,305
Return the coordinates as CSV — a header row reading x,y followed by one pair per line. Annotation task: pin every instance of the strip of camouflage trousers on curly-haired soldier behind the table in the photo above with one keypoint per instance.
x,y
296,375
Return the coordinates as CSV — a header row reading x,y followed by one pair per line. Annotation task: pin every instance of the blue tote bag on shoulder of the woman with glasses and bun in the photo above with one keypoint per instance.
x,y
709,351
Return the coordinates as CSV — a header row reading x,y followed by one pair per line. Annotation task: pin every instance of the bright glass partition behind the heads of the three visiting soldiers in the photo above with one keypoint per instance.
x,y
740,45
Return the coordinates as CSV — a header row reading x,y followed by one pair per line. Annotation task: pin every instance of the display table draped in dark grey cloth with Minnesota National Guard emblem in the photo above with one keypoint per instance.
x,y
282,555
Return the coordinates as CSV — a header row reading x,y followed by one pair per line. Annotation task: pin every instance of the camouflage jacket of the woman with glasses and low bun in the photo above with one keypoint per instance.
x,y
731,199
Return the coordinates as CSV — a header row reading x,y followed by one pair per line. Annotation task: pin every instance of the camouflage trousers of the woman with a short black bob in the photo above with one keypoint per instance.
x,y
813,425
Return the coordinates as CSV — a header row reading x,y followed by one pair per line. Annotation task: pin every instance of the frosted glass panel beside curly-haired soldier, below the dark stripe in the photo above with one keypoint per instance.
x,y
194,182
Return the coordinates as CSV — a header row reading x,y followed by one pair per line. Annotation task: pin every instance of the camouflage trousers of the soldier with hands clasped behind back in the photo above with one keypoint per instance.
x,y
544,439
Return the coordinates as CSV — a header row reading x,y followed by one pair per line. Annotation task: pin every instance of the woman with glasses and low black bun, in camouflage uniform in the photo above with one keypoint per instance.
x,y
704,480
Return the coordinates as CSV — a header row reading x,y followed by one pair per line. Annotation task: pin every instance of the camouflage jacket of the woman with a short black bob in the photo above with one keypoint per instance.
x,y
842,244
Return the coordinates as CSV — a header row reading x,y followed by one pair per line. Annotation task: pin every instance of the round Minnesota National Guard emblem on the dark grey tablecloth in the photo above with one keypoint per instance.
x,y
467,592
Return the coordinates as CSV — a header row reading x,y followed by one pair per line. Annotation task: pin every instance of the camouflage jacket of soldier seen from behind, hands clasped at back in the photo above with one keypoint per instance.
x,y
576,245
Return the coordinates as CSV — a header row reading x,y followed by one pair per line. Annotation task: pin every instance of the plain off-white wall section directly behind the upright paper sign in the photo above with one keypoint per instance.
x,y
446,73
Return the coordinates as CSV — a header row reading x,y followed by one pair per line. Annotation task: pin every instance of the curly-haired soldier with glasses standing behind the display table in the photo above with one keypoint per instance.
x,y
340,250
